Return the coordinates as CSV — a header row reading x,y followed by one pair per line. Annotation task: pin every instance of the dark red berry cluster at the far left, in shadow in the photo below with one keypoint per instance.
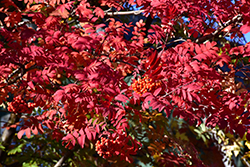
x,y
18,105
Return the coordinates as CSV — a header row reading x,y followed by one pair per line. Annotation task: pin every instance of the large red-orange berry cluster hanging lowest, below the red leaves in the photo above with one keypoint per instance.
x,y
111,147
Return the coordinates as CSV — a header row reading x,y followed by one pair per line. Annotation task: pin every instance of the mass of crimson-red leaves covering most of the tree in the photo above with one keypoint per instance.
x,y
76,72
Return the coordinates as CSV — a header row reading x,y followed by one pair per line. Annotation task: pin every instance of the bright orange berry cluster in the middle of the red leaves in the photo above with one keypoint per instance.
x,y
144,85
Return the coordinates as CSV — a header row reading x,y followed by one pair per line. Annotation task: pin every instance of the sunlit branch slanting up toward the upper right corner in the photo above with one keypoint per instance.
x,y
235,19
